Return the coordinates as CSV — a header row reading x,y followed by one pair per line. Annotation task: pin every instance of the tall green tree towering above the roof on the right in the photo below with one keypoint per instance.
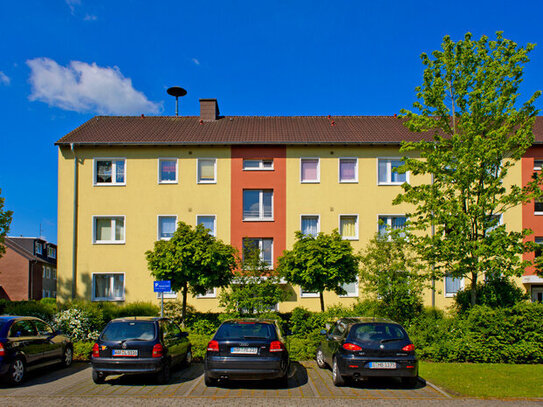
x,y
468,103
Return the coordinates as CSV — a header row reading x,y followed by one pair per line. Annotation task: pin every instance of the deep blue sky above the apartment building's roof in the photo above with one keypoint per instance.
x,y
64,61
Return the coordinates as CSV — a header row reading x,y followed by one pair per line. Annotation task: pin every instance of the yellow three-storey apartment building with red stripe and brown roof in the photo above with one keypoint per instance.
x,y
124,182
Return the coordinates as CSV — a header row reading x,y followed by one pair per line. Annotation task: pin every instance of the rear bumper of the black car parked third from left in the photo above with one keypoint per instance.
x,y
246,368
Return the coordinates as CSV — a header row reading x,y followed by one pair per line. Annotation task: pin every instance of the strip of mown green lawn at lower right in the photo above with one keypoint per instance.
x,y
485,380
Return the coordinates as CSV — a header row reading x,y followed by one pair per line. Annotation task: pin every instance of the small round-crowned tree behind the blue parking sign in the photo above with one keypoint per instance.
x,y
193,260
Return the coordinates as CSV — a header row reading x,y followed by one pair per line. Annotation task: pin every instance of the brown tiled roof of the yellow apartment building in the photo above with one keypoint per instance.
x,y
248,129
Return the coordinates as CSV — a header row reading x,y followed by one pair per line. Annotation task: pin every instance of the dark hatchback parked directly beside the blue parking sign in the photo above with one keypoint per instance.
x,y
139,345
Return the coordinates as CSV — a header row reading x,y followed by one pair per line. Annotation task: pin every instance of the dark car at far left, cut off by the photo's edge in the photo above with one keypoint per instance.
x,y
27,343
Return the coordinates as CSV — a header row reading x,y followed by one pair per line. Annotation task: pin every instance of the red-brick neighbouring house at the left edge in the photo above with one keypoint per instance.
x,y
28,269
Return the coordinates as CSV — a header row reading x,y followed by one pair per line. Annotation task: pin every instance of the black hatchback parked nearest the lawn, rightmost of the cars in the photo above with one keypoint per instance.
x,y
358,348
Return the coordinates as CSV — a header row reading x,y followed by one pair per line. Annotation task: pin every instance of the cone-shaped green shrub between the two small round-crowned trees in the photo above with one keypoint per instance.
x,y
255,288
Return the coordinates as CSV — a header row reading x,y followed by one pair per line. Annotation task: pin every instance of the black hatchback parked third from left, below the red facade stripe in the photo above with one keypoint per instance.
x,y
246,349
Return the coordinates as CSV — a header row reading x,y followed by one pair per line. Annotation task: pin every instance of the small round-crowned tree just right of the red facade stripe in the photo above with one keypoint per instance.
x,y
320,263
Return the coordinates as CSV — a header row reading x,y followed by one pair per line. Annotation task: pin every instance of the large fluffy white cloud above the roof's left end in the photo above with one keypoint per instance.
x,y
83,87
